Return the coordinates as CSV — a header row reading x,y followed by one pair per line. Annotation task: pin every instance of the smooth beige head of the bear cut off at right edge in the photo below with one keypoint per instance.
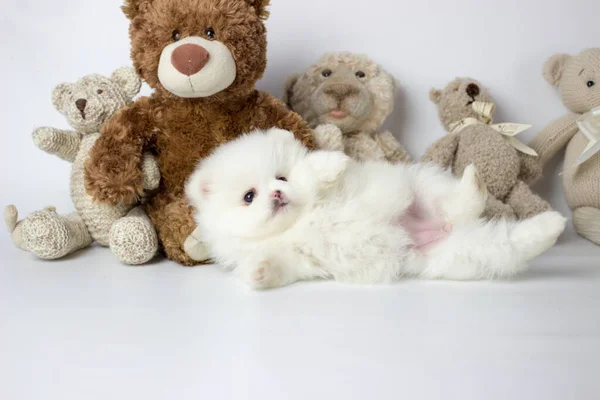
x,y
577,78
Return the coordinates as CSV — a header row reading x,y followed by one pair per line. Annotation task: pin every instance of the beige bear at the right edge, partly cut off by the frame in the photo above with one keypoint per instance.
x,y
578,81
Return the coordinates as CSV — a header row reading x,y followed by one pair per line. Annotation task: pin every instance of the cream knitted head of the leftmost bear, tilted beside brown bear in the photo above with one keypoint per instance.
x,y
90,102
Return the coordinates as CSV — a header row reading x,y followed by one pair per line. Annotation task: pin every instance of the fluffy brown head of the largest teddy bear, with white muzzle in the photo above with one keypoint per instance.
x,y
199,48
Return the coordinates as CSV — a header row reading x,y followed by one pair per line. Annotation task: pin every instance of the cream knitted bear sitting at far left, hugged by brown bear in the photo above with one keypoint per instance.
x,y
87,105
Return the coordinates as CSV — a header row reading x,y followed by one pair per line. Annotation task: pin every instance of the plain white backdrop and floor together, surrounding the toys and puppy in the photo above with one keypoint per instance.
x,y
88,328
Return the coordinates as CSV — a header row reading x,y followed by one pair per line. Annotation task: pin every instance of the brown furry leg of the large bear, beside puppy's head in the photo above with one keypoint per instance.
x,y
173,219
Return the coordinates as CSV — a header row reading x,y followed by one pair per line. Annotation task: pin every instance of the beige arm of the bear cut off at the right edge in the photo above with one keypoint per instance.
x,y
555,137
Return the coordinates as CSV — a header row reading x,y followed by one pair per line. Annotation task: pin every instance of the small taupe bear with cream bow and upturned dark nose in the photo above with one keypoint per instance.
x,y
507,166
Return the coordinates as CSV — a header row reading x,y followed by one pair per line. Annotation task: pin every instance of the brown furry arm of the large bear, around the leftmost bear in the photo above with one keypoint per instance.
x,y
113,172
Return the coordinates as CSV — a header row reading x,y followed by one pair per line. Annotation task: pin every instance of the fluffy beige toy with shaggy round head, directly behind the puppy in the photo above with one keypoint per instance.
x,y
346,98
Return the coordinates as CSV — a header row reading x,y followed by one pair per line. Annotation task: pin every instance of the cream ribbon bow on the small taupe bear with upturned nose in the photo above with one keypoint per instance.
x,y
509,131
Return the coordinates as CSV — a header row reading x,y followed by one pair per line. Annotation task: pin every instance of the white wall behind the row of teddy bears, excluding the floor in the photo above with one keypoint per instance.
x,y
502,43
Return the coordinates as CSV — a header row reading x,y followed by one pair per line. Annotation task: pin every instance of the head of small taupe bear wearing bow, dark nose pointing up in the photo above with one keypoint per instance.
x,y
459,100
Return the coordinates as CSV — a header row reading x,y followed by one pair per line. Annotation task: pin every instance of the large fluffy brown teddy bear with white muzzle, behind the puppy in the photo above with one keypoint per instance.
x,y
203,59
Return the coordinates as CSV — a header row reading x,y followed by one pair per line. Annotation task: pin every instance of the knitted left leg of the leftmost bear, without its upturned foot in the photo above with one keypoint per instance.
x,y
51,236
